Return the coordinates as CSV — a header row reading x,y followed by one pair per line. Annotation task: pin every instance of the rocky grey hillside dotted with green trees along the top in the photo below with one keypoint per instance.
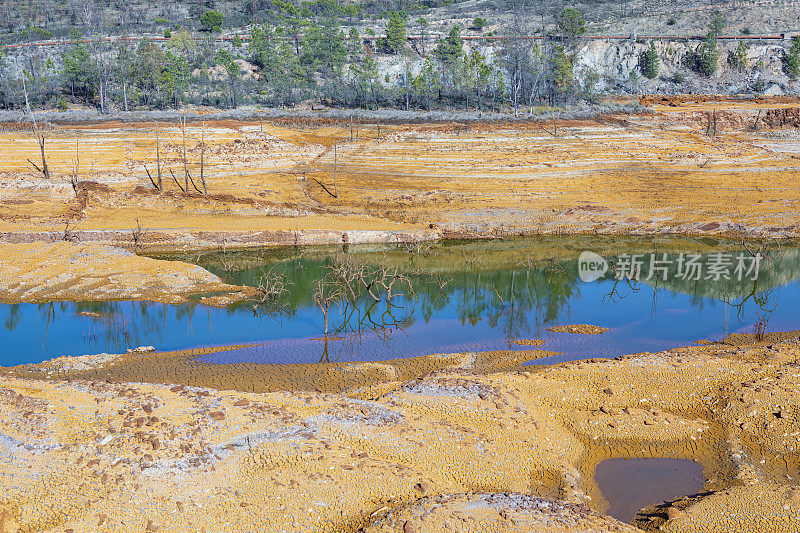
x,y
500,57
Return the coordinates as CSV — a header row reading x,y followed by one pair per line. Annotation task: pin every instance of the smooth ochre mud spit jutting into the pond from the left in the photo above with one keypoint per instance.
x,y
39,272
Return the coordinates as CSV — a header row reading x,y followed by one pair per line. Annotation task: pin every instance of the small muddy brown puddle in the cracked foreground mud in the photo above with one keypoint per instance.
x,y
629,485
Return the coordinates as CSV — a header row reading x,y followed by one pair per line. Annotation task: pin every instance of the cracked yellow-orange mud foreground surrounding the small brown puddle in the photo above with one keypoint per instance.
x,y
510,449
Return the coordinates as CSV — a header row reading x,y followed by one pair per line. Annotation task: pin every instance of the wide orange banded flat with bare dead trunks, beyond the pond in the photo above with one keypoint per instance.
x,y
655,173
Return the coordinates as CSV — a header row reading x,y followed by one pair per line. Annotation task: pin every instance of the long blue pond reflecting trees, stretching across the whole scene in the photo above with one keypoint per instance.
x,y
451,296
